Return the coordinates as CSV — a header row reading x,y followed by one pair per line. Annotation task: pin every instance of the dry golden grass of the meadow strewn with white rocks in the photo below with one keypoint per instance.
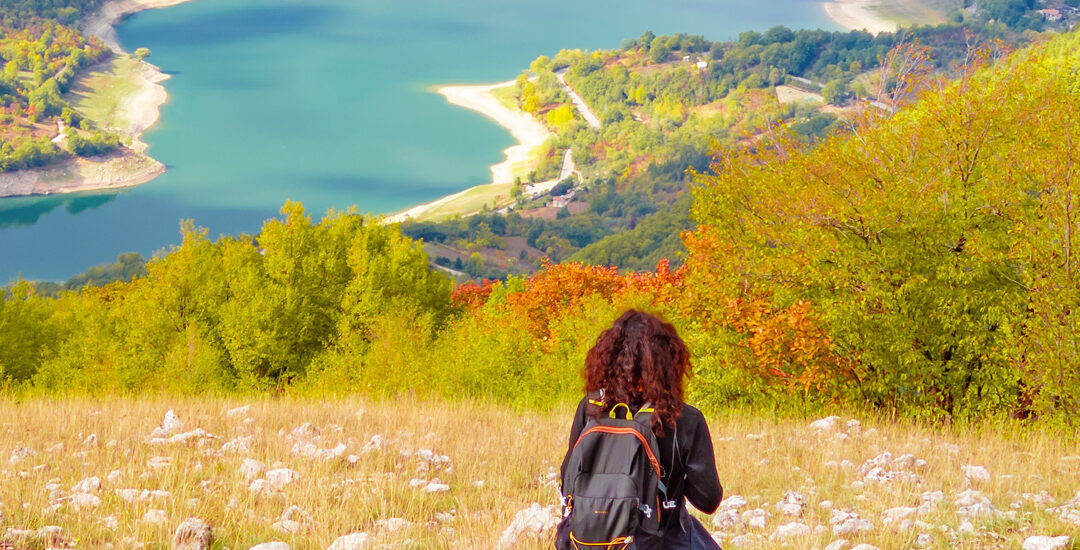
x,y
512,453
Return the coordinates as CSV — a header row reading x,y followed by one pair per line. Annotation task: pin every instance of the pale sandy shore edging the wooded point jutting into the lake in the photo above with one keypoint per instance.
x,y
530,135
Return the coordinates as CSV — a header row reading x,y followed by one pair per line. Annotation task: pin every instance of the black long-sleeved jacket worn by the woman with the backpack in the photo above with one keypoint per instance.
x,y
686,459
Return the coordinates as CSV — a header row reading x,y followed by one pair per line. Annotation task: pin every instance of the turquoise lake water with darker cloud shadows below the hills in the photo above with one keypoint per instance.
x,y
330,103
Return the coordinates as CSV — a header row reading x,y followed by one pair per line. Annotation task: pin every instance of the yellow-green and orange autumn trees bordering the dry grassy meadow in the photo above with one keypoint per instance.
x,y
920,265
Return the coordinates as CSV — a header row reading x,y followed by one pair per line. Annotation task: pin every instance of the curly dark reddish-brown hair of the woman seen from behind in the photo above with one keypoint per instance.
x,y
639,360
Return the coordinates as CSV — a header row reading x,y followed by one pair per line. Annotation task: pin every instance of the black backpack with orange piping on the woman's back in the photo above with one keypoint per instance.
x,y
613,481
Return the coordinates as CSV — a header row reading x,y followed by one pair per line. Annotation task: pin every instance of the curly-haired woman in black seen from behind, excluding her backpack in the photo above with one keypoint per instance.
x,y
640,360
